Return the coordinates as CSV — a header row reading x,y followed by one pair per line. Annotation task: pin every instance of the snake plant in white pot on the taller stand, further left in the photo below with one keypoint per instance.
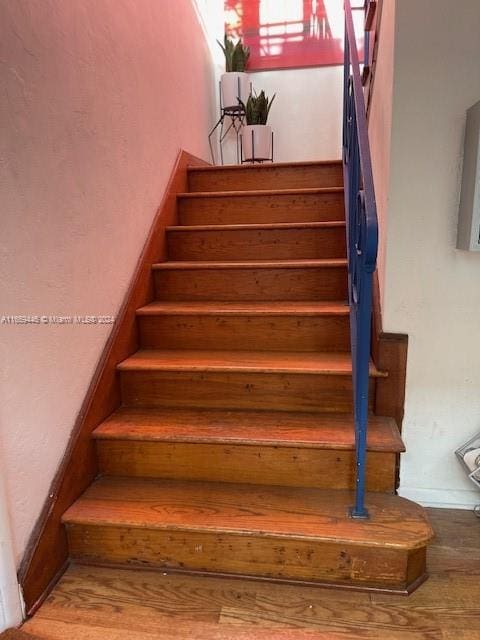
x,y
235,83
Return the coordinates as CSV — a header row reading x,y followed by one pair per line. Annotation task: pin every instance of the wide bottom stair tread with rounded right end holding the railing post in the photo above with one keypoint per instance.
x,y
250,510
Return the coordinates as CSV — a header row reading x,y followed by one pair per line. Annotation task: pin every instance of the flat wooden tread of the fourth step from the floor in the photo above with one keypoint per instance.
x,y
273,308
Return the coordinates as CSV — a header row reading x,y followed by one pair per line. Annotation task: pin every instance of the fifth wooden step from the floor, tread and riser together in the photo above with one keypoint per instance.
x,y
248,280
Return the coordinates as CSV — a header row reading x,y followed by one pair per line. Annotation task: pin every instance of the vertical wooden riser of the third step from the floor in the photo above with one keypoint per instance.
x,y
234,390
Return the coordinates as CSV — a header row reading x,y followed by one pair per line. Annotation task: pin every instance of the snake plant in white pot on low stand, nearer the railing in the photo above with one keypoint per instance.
x,y
256,134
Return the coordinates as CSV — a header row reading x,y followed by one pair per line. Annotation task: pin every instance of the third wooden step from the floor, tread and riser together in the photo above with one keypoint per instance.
x,y
240,380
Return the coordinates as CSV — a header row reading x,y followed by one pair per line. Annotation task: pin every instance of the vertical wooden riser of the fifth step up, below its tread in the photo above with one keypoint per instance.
x,y
252,284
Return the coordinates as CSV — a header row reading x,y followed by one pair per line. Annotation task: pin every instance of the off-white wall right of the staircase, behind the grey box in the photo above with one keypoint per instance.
x,y
432,290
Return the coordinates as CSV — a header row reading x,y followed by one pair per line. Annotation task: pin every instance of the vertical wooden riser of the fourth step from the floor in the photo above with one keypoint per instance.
x,y
256,333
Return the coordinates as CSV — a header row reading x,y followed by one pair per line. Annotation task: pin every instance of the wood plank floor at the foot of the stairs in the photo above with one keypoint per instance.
x,y
92,603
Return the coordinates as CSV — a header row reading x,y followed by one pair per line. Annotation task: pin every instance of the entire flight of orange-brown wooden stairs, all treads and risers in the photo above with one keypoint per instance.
x,y
233,450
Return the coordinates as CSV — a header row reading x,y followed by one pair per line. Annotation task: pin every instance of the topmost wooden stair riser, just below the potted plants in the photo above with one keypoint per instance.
x,y
304,177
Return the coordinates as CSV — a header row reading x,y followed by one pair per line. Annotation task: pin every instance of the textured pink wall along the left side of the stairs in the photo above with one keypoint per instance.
x,y
97,98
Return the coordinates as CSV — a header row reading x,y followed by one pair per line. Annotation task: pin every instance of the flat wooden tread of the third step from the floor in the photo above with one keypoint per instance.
x,y
328,363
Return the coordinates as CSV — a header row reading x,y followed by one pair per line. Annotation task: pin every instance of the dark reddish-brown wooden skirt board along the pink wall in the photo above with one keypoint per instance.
x,y
47,549
